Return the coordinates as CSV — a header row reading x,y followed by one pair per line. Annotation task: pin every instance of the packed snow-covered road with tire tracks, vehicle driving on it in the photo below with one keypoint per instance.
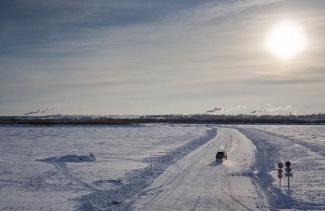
x,y
198,182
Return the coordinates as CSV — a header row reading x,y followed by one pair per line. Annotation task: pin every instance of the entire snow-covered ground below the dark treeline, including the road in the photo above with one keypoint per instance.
x,y
160,167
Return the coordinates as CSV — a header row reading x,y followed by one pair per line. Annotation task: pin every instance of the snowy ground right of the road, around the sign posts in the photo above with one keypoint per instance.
x,y
304,146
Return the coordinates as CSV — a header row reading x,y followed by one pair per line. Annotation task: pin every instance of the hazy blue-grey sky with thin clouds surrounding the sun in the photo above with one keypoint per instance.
x,y
142,57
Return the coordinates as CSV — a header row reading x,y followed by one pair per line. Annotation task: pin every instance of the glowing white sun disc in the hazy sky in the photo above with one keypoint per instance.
x,y
286,40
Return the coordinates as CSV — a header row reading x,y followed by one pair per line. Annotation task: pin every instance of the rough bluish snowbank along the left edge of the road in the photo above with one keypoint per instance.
x,y
140,179
